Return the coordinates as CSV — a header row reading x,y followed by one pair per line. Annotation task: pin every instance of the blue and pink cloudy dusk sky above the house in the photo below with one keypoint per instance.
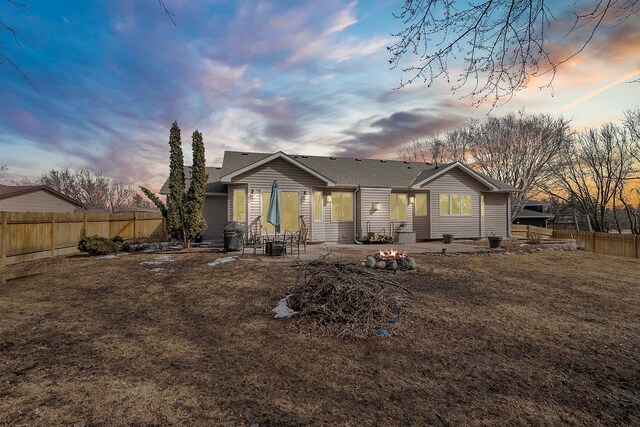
x,y
299,77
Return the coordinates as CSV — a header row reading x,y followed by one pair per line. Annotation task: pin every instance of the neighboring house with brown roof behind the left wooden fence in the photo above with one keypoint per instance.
x,y
35,198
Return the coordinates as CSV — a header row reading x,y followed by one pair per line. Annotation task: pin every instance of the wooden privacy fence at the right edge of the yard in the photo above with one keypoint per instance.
x,y
627,245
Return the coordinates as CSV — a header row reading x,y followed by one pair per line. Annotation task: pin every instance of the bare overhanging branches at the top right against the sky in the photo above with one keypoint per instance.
x,y
501,42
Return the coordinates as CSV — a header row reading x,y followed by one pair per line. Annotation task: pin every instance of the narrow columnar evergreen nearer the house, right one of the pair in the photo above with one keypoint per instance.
x,y
194,203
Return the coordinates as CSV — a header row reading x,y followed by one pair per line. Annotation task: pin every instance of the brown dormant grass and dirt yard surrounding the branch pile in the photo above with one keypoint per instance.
x,y
539,339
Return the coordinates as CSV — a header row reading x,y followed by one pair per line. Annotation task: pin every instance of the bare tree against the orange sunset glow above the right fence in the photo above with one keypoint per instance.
x,y
594,174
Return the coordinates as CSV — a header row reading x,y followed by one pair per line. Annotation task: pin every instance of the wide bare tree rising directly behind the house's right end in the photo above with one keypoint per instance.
x,y
519,149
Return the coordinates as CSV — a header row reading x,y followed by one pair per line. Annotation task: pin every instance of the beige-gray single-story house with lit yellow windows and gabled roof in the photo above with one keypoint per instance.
x,y
342,199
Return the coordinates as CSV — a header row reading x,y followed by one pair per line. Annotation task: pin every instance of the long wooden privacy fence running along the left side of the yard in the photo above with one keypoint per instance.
x,y
26,236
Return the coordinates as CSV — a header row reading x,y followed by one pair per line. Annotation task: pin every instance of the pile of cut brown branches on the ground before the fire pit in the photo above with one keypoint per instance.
x,y
346,296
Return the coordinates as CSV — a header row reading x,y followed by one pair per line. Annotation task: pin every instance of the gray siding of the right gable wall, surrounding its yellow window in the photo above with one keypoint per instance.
x,y
455,181
